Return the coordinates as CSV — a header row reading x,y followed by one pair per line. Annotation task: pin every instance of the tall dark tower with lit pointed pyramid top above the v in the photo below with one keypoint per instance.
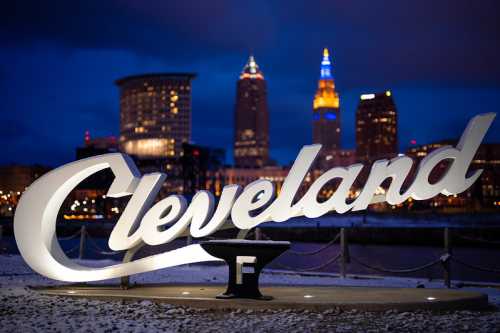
x,y
251,137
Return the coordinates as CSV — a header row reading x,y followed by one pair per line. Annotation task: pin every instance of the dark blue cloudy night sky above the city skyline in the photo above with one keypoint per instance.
x,y
59,61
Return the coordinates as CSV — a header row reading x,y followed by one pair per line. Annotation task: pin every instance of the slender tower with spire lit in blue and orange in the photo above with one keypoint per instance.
x,y
326,109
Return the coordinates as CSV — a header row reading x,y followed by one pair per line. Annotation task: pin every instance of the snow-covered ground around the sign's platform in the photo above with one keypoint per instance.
x,y
23,310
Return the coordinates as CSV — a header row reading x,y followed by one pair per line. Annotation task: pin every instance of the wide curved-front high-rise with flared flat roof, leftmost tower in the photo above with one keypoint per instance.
x,y
155,114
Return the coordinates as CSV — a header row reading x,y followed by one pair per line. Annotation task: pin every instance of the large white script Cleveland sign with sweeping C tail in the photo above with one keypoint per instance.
x,y
36,214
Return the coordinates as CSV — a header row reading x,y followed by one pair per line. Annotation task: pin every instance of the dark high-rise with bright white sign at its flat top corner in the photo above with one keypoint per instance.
x,y
376,127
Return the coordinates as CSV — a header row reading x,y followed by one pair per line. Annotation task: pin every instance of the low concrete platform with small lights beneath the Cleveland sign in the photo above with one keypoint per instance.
x,y
312,298
